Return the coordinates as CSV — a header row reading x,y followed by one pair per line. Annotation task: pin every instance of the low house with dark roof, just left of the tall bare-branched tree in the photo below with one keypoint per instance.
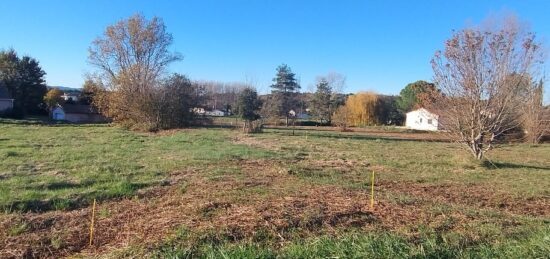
x,y
77,113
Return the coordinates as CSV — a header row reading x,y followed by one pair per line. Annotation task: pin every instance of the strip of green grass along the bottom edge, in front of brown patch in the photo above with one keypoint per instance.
x,y
367,245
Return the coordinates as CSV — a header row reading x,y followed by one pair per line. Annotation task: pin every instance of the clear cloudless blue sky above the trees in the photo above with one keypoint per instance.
x,y
378,45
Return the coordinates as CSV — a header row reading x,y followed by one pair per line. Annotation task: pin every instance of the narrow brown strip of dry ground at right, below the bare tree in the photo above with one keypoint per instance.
x,y
479,196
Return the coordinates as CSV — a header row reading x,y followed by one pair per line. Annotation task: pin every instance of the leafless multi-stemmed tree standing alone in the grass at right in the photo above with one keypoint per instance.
x,y
480,76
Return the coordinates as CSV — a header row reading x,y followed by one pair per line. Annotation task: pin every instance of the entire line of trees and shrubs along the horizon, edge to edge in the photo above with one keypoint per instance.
x,y
487,82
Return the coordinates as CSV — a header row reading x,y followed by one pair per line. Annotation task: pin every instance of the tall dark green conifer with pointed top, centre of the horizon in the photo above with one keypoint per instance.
x,y
284,89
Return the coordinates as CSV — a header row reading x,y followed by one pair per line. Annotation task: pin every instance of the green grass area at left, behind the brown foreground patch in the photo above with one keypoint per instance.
x,y
48,167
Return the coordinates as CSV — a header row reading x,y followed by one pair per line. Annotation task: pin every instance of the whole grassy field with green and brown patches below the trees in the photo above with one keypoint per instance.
x,y
218,193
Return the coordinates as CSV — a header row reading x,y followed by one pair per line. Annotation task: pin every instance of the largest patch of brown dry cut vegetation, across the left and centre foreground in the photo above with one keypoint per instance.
x,y
202,206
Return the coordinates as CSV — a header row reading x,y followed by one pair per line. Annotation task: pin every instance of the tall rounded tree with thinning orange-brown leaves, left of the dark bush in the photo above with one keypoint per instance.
x,y
132,57
